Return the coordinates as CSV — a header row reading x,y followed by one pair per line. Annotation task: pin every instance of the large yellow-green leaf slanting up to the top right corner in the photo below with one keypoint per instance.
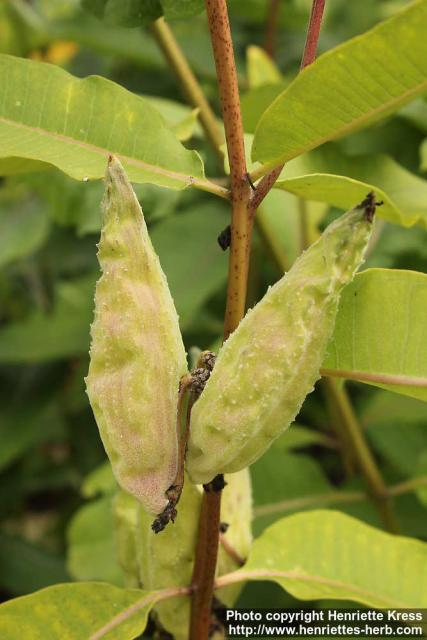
x,y
349,87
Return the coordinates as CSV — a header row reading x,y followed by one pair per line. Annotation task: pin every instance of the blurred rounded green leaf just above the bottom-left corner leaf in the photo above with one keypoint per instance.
x,y
92,551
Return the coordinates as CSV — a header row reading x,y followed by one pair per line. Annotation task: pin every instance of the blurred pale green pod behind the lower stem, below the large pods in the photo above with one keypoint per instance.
x,y
167,559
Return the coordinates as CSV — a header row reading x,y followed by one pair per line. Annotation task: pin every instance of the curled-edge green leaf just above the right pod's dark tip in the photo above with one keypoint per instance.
x,y
404,194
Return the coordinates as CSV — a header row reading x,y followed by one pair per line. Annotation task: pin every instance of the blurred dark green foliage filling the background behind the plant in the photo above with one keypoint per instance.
x,y
55,489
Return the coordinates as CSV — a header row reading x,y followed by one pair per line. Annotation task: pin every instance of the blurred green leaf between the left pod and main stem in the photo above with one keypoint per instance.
x,y
190,256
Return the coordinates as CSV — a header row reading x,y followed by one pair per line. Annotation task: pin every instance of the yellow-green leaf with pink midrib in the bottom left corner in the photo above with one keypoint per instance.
x,y
77,611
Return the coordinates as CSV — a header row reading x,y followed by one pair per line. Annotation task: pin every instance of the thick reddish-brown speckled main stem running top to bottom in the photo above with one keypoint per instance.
x,y
241,234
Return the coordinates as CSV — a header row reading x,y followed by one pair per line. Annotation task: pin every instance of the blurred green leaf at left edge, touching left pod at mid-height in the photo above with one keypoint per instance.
x,y
61,333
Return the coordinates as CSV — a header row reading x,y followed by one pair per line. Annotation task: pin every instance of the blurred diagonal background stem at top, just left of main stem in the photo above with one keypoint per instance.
x,y
190,85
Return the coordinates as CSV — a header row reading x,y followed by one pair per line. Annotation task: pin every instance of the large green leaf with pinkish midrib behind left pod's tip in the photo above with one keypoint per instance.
x,y
50,116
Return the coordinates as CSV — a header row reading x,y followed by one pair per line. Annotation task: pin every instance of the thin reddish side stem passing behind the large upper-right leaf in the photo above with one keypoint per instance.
x,y
270,174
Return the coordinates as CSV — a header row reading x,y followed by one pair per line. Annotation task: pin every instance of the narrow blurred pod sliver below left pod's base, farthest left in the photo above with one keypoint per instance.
x,y
125,519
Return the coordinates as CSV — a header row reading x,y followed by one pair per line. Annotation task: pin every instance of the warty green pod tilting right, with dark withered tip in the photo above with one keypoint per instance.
x,y
270,363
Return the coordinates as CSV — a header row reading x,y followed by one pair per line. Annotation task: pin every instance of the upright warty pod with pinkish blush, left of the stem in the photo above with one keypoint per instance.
x,y
137,356
